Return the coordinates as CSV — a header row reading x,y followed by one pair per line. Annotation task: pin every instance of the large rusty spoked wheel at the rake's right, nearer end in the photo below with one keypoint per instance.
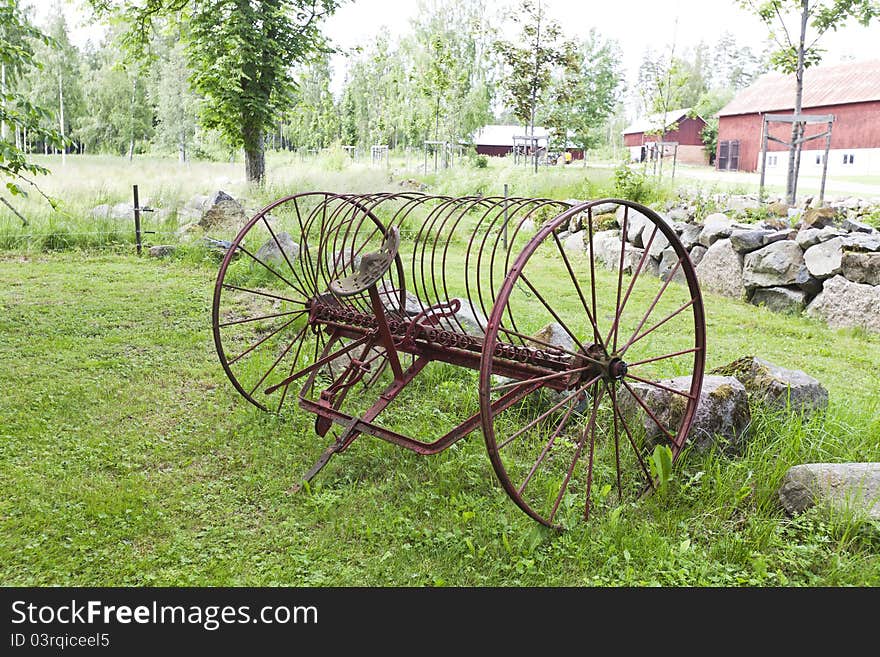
x,y
623,318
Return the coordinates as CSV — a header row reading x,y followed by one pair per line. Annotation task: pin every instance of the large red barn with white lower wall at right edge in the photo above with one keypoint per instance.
x,y
850,91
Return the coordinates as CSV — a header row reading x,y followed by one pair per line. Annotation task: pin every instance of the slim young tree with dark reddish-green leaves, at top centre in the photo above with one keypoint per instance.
x,y
531,60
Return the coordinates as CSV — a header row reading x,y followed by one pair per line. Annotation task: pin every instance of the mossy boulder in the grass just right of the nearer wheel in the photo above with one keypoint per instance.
x,y
776,386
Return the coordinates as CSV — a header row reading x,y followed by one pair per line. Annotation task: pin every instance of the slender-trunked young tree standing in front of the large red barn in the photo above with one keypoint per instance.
x,y
789,22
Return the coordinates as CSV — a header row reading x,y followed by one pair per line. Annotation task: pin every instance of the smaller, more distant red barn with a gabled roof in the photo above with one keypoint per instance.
x,y
641,137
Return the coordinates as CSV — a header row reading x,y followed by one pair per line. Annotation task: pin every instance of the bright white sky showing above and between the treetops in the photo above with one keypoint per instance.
x,y
635,24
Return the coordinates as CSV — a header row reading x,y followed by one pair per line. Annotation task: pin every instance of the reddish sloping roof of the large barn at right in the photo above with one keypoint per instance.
x,y
850,82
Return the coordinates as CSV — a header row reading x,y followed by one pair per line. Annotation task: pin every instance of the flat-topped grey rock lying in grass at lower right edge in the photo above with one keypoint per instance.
x,y
847,487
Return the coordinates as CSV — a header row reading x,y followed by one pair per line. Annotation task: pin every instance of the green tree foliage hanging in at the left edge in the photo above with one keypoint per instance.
x,y
17,111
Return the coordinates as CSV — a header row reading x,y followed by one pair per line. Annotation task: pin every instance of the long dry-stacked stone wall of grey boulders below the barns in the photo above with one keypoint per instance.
x,y
824,261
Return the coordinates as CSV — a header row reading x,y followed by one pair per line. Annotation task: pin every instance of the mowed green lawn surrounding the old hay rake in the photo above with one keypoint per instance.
x,y
126,458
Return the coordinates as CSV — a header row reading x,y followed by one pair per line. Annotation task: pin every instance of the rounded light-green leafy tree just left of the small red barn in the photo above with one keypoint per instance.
x,y
586,93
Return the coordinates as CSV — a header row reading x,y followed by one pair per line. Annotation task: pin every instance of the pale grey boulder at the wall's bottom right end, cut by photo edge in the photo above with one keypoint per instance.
x,y
843,303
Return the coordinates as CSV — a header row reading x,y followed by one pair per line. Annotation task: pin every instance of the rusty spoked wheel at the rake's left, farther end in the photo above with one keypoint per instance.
x,y
276,266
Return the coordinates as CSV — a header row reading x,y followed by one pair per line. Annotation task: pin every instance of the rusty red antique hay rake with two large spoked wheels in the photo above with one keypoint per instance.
x,y
361,308
